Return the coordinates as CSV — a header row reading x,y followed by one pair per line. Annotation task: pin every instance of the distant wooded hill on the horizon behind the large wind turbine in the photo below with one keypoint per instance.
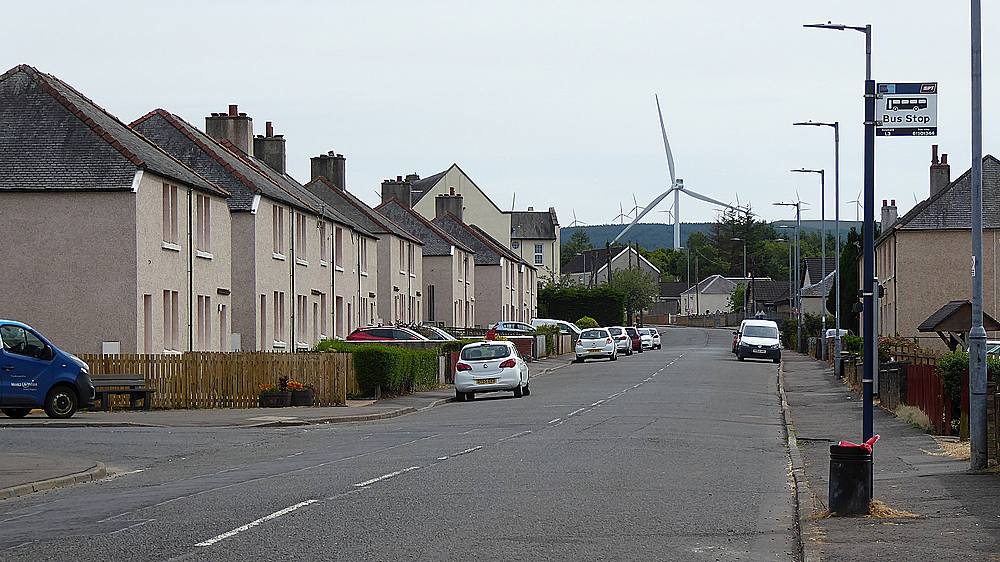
x,y
660,235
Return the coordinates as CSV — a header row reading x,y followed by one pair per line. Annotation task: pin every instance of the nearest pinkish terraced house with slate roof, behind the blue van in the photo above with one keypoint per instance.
x,y
105,230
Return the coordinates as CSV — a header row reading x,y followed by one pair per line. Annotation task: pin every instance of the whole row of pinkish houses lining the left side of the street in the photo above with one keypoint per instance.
x,y
158,236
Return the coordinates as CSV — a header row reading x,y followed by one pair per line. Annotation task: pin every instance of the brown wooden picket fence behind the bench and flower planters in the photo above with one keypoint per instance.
x,y
228,380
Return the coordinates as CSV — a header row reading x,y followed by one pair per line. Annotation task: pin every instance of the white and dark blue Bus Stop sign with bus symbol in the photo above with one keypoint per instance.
x,y
906,109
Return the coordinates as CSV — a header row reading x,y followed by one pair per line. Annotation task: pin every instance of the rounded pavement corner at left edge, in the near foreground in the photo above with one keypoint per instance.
x,y
26,473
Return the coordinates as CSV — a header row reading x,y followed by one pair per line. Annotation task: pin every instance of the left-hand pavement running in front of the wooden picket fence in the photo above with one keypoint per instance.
x,y
355,411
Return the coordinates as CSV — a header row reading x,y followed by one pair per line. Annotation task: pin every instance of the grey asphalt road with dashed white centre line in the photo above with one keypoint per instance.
x,y
669,455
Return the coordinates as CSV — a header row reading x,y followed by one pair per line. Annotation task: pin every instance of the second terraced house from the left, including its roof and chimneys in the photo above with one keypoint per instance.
x,y
288,290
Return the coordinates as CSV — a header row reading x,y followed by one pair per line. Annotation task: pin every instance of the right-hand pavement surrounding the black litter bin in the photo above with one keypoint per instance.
x,y
956,512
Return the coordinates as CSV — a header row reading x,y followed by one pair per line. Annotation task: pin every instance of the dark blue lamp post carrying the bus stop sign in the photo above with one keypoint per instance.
x,y
868,275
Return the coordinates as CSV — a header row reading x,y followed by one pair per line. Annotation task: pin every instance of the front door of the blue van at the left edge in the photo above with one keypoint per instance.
x,y
24,361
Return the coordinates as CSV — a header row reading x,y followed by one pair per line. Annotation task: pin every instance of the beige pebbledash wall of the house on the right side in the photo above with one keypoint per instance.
x,y
922,270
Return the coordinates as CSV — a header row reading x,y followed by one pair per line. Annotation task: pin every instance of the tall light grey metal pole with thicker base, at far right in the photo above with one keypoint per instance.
x,y
977,334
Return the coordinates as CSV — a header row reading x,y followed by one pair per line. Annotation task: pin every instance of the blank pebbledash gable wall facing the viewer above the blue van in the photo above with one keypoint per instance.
x,y
69,266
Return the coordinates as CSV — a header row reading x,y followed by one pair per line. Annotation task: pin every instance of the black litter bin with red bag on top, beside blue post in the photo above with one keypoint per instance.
x,y
850,480
